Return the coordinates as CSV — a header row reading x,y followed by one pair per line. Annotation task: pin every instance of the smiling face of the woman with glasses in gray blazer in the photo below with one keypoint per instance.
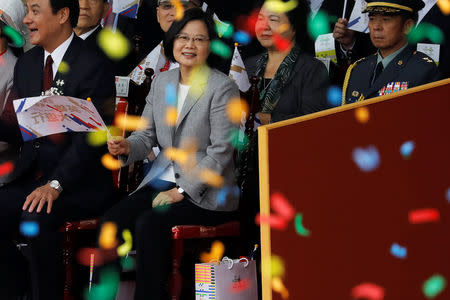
x,y
191,46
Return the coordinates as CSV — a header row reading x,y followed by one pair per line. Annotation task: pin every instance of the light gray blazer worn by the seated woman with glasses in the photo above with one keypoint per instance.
x,y
203,118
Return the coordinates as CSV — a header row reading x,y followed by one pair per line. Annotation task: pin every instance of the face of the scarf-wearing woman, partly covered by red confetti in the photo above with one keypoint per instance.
x,y
270,23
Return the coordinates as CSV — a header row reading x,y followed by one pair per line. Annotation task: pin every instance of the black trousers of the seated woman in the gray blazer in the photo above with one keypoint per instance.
x,y
152,235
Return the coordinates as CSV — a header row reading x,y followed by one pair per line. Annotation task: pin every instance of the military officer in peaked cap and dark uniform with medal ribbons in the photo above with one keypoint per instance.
x,y
395,66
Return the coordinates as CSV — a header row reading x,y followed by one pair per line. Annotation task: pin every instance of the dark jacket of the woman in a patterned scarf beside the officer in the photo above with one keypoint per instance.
x,y
305,91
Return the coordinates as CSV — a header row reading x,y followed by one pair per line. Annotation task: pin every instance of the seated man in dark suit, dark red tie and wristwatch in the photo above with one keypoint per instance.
x,y
60,176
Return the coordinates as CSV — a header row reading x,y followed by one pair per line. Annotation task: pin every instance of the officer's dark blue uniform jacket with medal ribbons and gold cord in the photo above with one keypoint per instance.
x,y
409,66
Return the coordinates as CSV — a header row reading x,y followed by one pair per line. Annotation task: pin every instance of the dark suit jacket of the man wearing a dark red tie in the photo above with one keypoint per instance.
x,y
65,157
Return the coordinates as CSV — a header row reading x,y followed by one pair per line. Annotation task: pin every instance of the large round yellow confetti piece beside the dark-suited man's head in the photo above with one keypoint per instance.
x,y
114,44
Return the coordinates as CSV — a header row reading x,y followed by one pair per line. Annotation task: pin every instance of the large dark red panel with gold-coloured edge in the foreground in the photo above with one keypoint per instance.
x,y
354,216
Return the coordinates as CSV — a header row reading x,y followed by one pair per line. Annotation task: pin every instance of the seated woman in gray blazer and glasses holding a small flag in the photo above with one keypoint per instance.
x,y
187,119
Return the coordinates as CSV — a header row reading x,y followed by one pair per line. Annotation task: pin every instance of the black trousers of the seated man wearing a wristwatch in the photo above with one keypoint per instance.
x,y
45,261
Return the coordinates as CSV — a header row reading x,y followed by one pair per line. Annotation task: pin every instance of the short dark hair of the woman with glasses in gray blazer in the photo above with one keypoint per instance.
x,y
190,15
